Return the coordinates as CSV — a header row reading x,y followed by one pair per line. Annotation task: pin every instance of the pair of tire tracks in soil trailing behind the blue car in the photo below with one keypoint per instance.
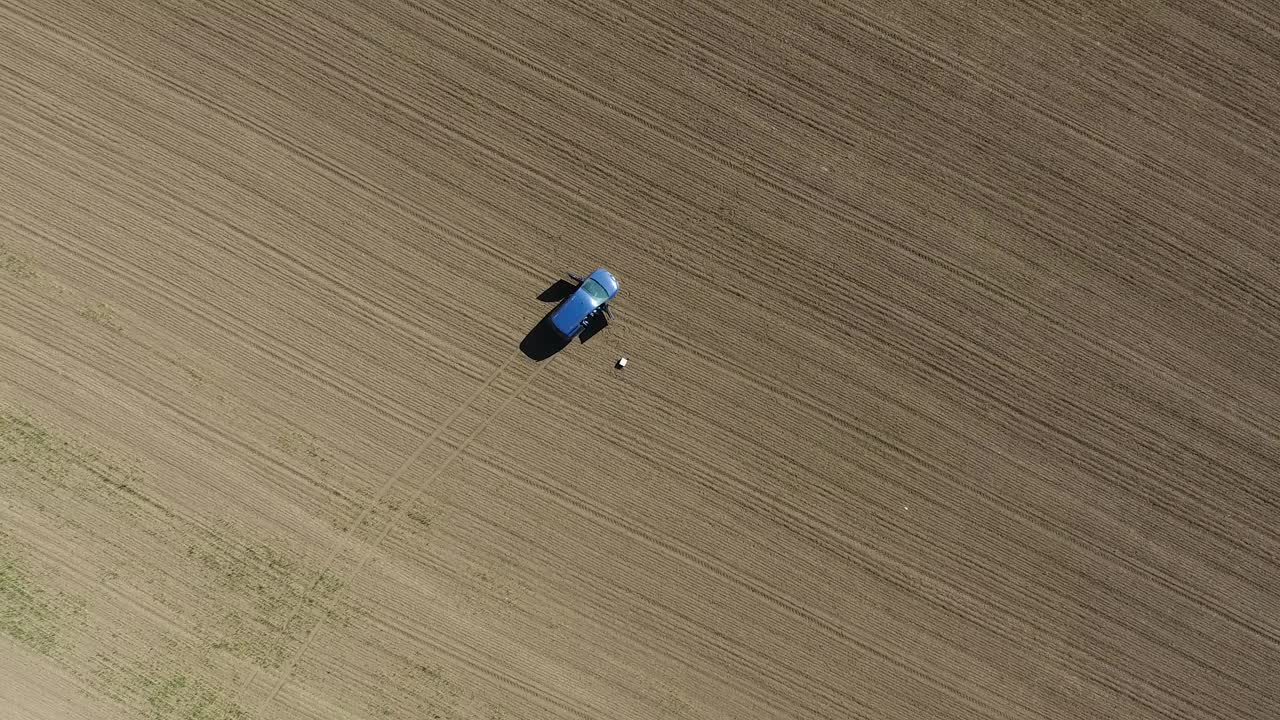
x,y
422,486
